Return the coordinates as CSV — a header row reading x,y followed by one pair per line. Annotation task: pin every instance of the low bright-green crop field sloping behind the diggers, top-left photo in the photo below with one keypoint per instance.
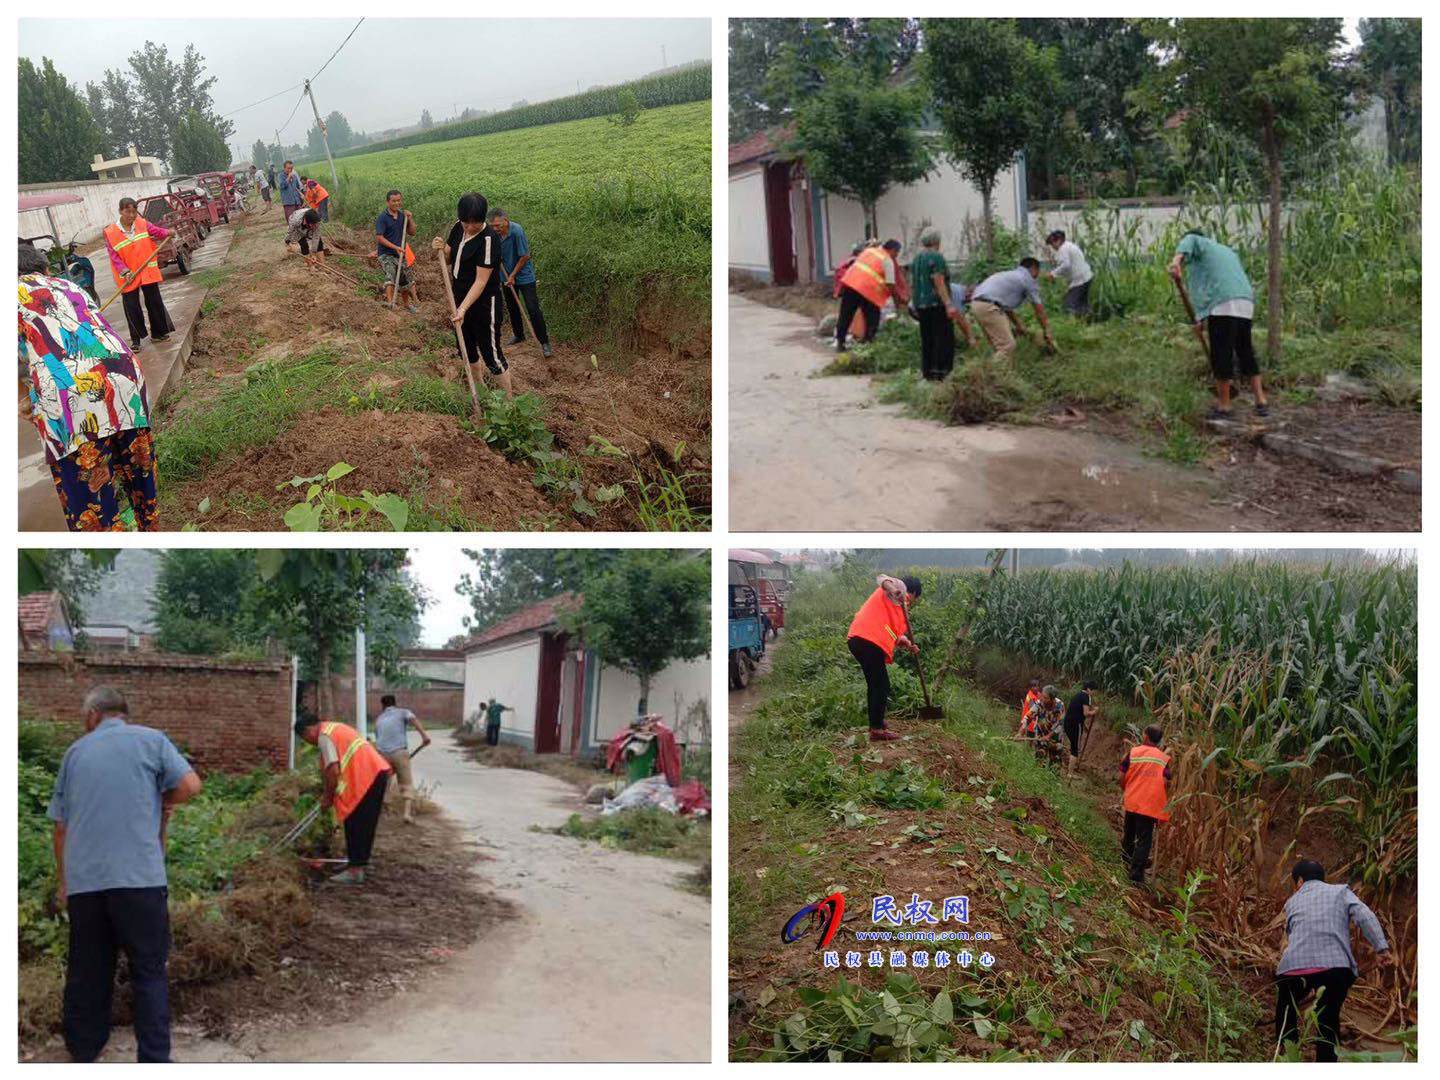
x,y
618,217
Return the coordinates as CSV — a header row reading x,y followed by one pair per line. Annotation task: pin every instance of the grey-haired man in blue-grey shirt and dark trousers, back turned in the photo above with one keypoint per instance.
x,y
113,798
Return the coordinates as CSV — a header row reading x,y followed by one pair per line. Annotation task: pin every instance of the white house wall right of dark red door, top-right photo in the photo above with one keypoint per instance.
x,y
945,201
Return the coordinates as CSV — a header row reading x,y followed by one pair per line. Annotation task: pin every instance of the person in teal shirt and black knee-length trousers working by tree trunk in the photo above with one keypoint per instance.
x,y
1225,306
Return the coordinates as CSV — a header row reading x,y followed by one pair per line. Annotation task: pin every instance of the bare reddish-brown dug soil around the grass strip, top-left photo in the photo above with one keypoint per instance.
x,y
654,405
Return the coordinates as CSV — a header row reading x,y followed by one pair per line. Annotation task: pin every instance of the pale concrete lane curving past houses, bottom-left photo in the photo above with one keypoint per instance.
x,y
608,961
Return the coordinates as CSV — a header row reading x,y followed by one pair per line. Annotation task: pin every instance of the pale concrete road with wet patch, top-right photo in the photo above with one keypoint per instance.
x,y
823,454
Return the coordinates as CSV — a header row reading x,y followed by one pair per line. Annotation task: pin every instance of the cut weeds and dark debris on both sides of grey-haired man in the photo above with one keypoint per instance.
x,y
258,940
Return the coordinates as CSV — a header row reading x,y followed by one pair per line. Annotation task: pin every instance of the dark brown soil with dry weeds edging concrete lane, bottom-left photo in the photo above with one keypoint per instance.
x,y
282,941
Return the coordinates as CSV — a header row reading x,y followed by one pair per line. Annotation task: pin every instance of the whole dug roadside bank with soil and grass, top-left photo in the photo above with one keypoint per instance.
x,y
296,372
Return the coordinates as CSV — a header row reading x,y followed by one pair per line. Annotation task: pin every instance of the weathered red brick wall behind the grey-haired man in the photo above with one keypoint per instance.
x,y
228,716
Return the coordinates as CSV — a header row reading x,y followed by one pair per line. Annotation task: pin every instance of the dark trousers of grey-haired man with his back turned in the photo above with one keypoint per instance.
x,y
139,922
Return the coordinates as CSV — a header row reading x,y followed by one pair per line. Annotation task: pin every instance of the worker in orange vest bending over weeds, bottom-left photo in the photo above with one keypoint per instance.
x,y
355,775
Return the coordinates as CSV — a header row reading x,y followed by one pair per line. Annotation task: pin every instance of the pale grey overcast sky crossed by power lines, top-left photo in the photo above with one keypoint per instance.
x,y
443,64
